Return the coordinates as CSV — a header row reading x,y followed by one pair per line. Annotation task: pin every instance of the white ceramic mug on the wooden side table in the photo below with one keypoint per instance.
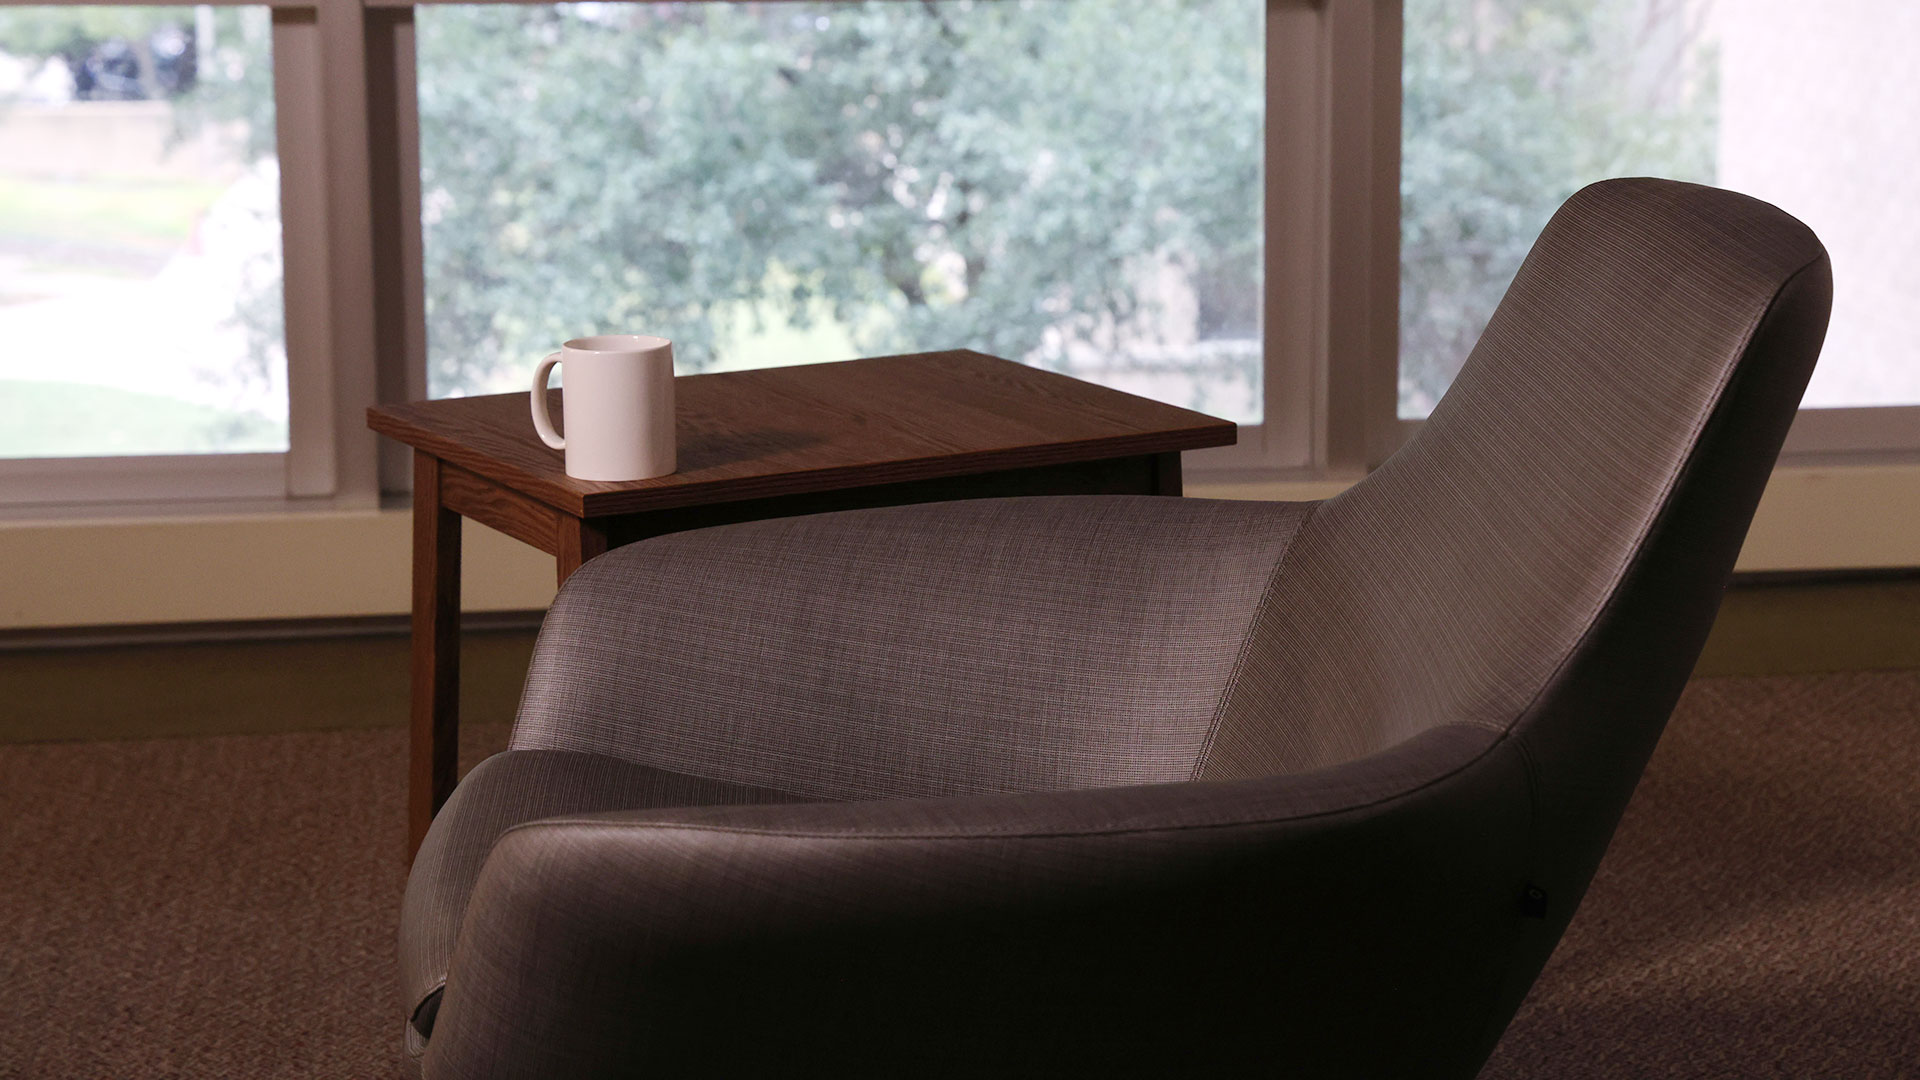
x,y
619,406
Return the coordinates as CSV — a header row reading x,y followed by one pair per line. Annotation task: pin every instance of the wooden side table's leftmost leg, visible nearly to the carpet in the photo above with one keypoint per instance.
x,y
435,741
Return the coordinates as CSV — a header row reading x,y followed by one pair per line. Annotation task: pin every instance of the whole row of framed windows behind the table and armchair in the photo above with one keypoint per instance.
x,y
1289,212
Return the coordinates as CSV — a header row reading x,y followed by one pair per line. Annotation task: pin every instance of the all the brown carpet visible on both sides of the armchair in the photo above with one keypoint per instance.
x,y
228,906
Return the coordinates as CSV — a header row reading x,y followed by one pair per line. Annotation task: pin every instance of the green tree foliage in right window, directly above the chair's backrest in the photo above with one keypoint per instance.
x,y
1510,107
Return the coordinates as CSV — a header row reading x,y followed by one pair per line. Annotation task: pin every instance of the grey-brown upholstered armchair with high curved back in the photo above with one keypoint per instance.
x,y
1136,785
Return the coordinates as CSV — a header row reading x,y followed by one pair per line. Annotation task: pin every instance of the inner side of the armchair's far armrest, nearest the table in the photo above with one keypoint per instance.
x,y
909,652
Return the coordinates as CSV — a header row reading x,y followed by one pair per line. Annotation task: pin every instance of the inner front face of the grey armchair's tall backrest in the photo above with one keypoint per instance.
x,y
1462,574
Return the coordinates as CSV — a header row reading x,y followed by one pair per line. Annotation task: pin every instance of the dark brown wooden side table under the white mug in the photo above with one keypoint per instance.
x,y
754,445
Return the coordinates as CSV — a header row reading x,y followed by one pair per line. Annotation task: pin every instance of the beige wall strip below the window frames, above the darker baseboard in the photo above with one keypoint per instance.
x,y
335,564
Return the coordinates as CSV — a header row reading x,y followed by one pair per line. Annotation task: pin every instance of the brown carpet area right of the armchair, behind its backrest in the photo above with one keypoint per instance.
x,y
1760,910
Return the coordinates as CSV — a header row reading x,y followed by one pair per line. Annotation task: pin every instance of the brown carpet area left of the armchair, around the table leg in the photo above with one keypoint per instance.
x,y
204,908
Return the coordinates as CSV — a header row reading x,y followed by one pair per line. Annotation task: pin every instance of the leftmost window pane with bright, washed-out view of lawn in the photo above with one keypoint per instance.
x,y
139,233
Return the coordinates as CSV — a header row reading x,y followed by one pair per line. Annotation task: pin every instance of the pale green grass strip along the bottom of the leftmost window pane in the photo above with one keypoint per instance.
x,y
70,420
